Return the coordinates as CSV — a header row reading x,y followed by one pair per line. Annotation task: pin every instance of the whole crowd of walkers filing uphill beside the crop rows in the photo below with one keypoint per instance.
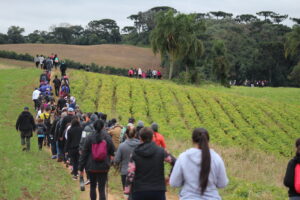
x,y
88,142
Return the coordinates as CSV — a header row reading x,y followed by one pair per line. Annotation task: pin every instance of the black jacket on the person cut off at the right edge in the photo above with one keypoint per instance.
x,y
289,176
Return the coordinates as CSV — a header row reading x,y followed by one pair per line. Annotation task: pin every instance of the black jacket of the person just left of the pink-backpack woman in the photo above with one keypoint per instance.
x,y
73,140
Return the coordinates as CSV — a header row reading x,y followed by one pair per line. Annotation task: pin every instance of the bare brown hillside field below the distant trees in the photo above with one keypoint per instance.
x,y
120,56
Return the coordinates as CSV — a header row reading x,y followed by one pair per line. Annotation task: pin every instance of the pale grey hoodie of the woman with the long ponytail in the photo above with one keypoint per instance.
x,y
186,175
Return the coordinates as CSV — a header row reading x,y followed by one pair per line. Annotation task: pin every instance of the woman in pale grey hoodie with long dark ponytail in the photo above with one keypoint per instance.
x,y
200,171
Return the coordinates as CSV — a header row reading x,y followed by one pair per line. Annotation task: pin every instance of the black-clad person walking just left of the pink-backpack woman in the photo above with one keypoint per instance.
x,y
72,145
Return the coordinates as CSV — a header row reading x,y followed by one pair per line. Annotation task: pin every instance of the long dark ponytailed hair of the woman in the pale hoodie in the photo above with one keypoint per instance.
x,y
201,137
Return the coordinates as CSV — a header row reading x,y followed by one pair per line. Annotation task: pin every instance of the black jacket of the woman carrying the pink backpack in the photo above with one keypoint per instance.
x,y
86,159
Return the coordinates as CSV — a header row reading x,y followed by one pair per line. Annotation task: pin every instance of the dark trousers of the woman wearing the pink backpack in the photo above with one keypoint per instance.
x,y
101,179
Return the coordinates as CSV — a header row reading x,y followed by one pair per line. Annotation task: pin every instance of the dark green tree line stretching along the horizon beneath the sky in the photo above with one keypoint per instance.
x,y
213,46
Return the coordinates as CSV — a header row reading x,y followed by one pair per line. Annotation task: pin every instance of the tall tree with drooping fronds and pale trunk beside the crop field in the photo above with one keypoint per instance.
x,y
173,36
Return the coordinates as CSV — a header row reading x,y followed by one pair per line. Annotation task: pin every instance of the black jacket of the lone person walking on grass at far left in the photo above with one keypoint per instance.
x,y
25,122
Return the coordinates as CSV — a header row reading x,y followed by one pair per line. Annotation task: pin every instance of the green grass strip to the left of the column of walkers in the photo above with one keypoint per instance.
x,y
25,175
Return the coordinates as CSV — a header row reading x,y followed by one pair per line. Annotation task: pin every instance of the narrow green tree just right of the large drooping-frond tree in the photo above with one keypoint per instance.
x,y
221,66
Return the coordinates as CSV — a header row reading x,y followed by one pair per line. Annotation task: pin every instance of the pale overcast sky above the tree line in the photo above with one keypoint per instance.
x,y
37,14
